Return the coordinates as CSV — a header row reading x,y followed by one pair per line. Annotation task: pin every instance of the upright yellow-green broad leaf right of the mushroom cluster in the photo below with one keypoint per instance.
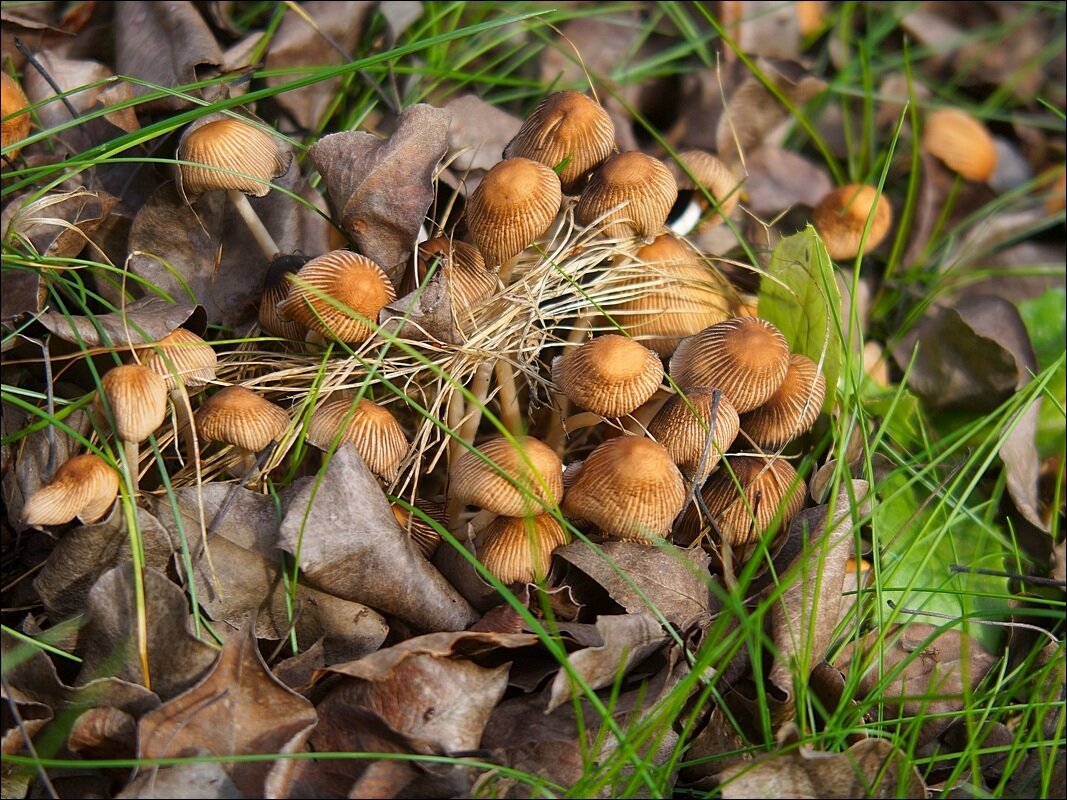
x,y
800,295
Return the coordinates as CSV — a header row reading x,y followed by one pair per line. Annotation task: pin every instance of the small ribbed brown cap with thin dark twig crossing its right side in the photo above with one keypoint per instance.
x,y
682,426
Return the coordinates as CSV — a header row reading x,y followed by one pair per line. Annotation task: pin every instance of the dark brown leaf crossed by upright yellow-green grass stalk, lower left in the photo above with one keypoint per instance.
x,y
110,642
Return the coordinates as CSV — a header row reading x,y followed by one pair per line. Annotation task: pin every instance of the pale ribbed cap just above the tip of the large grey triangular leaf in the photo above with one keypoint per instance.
x,y
376,434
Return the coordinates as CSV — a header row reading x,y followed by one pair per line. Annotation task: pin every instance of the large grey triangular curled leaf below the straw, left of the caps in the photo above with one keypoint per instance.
x,y
351,546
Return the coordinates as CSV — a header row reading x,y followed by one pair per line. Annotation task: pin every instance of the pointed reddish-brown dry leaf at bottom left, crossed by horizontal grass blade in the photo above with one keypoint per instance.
x,y
240,709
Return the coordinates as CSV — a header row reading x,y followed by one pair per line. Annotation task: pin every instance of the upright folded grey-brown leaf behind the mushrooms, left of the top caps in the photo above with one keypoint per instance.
x,y
380,190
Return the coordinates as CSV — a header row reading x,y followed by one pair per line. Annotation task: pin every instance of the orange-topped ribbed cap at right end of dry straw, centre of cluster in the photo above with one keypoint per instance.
x,y
611,375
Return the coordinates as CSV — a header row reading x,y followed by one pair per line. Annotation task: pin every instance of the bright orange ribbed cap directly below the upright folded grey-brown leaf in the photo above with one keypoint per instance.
x,y
326,287
